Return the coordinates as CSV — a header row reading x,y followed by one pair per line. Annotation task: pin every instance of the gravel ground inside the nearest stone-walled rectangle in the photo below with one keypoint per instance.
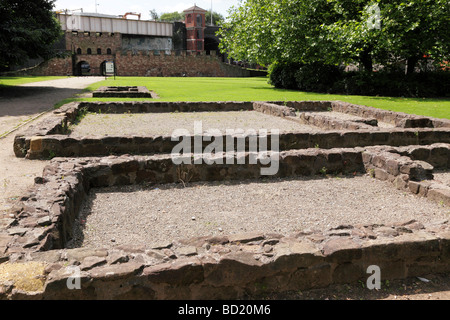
x,y
137,215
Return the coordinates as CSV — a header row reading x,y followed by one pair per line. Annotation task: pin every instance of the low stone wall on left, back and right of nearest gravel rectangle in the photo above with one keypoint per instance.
x,y
57,195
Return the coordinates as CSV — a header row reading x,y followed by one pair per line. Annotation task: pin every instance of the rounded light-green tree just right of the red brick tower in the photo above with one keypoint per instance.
x,y
264,31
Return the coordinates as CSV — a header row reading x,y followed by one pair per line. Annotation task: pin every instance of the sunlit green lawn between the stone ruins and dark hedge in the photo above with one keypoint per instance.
x,y
257,89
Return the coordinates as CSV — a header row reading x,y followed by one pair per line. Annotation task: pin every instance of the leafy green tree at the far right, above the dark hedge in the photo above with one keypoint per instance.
x,y
405,31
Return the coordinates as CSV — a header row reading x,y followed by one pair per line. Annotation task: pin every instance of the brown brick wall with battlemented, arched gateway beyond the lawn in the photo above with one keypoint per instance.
x,y
132,62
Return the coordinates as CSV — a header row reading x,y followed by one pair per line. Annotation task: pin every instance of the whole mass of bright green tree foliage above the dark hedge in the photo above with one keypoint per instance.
x,y
337,31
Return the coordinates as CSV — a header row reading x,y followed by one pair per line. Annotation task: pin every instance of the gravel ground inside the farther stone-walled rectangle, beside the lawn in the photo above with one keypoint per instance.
x,y
166,123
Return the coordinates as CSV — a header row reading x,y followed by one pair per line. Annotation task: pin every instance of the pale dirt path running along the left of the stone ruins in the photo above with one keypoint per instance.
x,y
17,107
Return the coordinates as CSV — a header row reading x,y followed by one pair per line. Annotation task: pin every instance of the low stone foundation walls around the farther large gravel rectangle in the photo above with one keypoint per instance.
x,y
49,138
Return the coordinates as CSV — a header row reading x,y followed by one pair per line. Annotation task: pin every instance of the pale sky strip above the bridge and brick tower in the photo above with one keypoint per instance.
x,y
120,7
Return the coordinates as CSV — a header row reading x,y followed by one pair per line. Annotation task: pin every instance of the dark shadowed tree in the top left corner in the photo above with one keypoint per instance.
x,y
28,29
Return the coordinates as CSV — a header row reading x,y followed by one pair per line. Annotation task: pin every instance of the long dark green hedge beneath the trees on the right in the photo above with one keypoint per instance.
x,y
318,77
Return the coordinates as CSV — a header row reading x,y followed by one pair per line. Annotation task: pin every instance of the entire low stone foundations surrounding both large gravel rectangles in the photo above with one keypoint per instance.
x,y
229,266
